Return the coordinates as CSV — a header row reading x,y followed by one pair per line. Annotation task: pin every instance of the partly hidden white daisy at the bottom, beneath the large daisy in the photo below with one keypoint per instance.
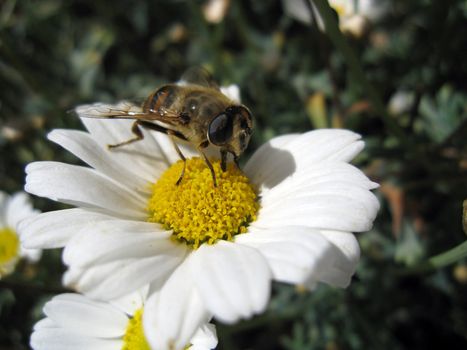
x,y
74,321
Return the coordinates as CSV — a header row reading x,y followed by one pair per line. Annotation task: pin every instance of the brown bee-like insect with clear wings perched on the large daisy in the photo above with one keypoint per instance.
x,y
194,111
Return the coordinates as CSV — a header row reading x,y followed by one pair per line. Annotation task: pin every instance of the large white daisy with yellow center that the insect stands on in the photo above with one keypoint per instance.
x,y
208,251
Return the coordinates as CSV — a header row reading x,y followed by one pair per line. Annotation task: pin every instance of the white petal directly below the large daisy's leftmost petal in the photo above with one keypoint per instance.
x,y
118,239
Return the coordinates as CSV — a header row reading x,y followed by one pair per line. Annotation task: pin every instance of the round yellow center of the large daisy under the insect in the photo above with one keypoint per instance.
x,y
195,210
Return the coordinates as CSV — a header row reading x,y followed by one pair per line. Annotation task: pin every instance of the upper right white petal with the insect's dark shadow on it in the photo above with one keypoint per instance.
x,y
296,155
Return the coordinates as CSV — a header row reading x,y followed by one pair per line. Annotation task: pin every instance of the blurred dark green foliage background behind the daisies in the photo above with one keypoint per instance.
x,y
56,54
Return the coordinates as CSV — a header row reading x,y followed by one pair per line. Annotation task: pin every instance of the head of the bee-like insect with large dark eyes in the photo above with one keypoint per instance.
x,y
231,130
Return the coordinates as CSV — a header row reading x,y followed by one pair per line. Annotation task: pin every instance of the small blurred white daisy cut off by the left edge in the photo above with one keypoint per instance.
x,y
12,210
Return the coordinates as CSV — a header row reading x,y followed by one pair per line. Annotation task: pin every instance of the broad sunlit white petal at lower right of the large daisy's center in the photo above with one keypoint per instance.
x,y
293,253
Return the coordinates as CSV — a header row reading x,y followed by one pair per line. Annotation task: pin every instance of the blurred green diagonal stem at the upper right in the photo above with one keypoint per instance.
x,y
356,70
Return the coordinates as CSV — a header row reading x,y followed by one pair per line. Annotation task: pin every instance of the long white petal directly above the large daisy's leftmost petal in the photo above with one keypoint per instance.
x,y
82,186
